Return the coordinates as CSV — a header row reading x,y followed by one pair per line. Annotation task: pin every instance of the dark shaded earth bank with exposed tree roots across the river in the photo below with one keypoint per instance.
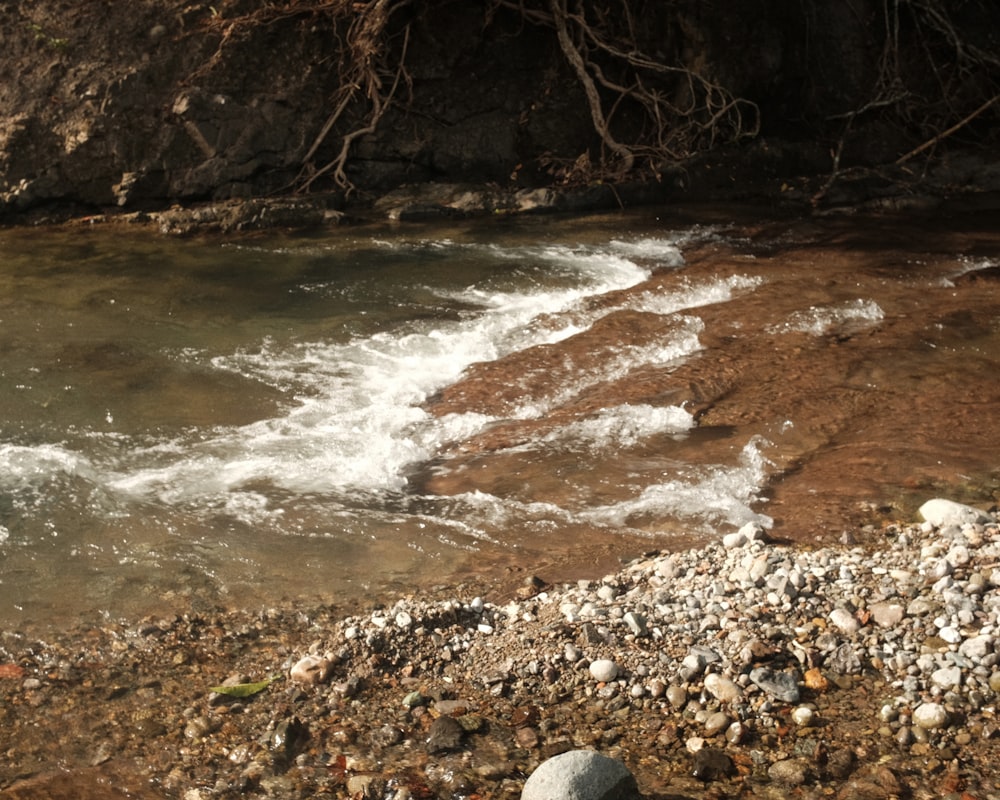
x,y
123,107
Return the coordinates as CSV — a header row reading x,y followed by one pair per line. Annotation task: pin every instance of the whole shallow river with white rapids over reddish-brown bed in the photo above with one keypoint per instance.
x,y
249,420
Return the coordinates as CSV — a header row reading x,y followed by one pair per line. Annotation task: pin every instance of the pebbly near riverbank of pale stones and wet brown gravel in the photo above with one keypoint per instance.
x,y
742,669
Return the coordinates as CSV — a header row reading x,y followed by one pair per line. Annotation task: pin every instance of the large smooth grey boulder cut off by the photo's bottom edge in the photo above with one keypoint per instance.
x,y
581,775
